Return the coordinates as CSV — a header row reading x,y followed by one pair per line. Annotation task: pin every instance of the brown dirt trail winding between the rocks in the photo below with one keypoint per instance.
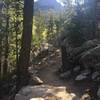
x,y
48,74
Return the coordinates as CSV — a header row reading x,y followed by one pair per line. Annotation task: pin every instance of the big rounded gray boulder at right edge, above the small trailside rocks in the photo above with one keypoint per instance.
x,y
91,58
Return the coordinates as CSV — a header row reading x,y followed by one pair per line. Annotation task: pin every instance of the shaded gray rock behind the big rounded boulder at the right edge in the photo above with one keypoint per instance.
x,y
74,53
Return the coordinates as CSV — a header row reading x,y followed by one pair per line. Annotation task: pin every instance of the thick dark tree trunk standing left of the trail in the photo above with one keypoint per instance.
x,y
24,58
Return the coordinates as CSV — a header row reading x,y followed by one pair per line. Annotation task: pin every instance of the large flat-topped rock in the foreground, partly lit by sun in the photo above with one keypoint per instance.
x,y
45,92
